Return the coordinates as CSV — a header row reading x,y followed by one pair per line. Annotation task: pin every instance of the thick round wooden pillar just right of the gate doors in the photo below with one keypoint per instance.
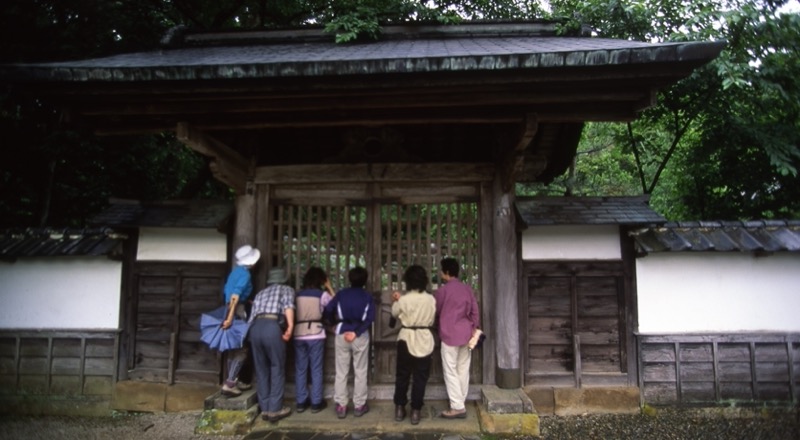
x,y
506,289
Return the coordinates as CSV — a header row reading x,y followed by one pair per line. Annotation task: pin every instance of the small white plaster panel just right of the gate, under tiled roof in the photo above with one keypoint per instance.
x,y
571,243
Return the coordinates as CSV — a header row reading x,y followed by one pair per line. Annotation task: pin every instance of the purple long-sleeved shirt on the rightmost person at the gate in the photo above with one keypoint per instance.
x,y
457,312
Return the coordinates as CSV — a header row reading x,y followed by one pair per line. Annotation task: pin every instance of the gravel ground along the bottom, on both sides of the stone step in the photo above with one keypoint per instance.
x,y
771,424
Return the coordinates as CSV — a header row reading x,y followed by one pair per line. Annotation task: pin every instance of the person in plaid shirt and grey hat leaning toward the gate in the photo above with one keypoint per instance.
x,y
271,326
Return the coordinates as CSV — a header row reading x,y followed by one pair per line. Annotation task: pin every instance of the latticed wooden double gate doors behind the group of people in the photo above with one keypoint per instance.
x,y
385,239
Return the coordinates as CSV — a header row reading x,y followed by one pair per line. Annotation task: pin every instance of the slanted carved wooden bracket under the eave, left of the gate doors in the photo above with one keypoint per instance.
x,y
227,166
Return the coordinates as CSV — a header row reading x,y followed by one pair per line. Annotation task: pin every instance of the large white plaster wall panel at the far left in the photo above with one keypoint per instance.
x,y
60,293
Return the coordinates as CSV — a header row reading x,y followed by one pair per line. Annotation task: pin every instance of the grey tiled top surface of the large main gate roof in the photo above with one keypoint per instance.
x,y
451,49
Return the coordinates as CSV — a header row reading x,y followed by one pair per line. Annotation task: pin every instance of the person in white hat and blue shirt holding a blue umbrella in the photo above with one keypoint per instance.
x,y
237,290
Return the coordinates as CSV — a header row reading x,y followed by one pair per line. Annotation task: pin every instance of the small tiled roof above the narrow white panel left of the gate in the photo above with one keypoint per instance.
x,y
174,214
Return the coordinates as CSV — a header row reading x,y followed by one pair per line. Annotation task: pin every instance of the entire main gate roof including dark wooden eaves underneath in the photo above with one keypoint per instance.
x,y
266,96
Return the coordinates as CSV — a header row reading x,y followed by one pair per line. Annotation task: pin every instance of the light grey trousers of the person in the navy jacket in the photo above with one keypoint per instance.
x,y
358,352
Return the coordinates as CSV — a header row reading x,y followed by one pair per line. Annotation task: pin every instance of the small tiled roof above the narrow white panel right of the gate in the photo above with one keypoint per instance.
x,y
541,211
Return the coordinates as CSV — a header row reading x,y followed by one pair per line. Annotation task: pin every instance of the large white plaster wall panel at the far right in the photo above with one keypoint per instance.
x,y
718,292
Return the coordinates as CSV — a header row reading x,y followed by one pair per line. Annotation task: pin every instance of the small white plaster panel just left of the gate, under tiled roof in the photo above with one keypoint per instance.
x,y
176,244
